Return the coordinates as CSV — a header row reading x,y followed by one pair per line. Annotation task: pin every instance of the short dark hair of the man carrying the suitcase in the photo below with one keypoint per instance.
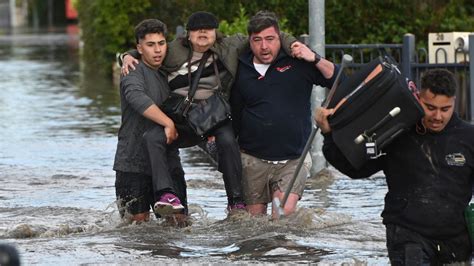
x,y
439,81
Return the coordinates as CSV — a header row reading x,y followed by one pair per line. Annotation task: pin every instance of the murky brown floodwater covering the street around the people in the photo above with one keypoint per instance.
x,y
57,143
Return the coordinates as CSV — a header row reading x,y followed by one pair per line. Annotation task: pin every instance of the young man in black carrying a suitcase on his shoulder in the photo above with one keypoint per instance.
x,y
429,172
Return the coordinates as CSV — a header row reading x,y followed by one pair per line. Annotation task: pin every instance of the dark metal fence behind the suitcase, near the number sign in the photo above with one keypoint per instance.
x,y
413,62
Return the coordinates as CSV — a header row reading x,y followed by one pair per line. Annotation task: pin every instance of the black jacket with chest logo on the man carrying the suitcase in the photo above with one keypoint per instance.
x,y
429,178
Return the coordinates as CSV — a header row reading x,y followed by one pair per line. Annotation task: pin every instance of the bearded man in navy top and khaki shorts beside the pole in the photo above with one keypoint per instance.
x,y
272,112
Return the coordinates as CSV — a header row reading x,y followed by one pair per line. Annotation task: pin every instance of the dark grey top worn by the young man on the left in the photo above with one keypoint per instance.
x,y
138,91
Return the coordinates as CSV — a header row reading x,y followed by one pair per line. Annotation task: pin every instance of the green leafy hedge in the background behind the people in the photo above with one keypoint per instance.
x,y
107,25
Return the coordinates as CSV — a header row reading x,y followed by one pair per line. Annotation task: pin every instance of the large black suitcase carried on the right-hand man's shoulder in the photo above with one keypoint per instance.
x,y
373,106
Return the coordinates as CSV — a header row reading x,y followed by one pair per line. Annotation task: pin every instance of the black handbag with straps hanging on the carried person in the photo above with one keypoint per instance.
x,y
201,116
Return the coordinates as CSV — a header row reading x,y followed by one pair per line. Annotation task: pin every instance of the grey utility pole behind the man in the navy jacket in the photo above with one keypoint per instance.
x,y
317,34
